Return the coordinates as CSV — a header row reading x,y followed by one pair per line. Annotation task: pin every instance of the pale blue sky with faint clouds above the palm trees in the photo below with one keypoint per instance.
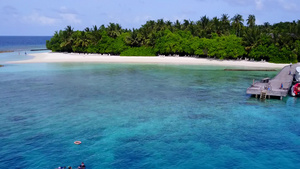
x,y
44,17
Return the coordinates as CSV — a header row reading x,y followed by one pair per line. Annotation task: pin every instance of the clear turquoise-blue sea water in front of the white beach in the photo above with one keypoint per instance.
x,y
142,116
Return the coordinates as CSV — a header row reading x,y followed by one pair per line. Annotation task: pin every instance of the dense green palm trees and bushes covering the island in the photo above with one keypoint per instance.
x,y
220,38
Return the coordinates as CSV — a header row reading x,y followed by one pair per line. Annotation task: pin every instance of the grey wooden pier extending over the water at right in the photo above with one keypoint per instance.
x,y
279,86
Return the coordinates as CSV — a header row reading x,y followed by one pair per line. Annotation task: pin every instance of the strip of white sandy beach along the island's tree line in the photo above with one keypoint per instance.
x,y
97,58
